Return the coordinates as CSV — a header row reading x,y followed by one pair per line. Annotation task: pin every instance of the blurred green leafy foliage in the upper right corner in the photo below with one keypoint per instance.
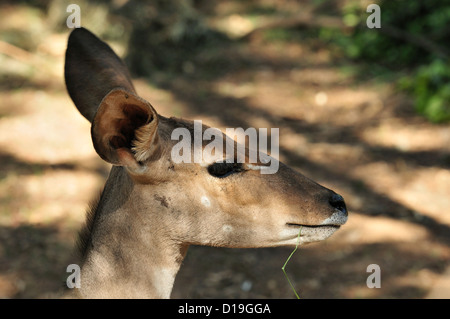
x,y
428,70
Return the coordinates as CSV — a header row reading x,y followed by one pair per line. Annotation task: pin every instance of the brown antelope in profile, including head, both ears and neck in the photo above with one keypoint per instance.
x,y
153,207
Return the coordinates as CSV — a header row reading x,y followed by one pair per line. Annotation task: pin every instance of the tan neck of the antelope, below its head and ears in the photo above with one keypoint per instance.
x,y
127,255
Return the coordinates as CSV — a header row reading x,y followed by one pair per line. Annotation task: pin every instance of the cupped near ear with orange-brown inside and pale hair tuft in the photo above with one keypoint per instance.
x,y
125,130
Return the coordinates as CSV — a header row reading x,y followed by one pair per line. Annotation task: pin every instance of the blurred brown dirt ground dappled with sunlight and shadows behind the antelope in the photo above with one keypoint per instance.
x,y
360,138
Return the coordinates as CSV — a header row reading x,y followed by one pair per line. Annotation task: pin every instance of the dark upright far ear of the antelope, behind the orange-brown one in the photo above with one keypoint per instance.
x,y
92,70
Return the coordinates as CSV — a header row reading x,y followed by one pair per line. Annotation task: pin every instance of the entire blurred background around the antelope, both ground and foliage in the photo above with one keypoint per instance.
x,y
362,111
